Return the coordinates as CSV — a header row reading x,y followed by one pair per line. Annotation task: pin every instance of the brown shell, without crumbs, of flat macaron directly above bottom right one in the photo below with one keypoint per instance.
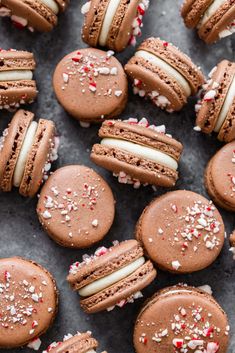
x,y
154,231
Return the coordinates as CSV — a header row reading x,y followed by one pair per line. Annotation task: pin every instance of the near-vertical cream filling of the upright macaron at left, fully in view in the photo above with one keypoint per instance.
x,y
21,162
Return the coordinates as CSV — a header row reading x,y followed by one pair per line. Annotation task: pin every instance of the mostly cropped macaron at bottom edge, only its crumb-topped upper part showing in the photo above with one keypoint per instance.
x,y
78,343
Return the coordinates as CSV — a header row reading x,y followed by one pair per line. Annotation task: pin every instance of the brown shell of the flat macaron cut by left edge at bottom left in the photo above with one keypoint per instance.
x,y
19,270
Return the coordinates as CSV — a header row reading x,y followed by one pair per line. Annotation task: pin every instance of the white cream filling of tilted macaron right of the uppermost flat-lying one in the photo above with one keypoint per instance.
x,y
155,60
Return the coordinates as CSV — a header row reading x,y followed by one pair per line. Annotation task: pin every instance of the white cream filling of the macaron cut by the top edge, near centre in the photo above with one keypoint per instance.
x,y
108,19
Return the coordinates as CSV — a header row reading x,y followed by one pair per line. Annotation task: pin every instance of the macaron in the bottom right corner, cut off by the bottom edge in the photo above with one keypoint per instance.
x,y
181,319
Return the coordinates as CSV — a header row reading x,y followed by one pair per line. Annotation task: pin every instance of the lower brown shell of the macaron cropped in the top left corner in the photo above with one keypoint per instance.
x,y
39,16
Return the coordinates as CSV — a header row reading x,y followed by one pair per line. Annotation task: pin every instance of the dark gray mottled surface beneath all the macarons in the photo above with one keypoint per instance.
x,y
20,232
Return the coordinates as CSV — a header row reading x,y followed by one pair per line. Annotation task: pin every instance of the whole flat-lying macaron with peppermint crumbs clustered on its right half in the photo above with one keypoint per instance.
x,y
181,231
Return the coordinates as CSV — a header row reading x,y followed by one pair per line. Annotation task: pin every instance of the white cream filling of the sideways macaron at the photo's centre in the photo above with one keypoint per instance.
x,y
142,151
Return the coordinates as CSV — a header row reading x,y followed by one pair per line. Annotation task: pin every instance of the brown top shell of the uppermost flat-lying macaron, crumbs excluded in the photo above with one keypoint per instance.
x,y
91,106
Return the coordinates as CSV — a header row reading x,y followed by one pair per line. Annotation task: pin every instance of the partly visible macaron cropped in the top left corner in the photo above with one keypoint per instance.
x,y
41,15
